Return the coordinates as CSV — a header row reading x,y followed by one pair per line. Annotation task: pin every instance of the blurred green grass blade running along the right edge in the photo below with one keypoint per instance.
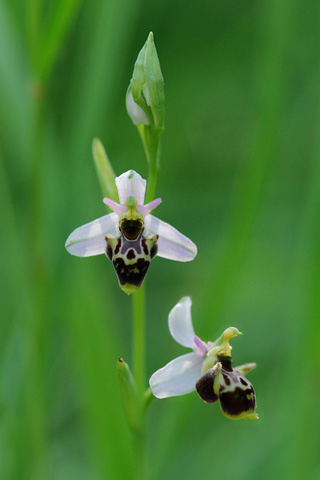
x,y
303,425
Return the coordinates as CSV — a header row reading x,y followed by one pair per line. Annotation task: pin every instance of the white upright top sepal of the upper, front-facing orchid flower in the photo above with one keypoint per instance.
x,y
131,184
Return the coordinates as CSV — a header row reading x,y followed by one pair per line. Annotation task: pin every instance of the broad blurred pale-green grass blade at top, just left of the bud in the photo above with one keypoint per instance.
x,y
98,61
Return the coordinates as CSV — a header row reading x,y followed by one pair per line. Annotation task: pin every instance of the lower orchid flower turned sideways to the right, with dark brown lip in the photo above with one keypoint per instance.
x,y
208,369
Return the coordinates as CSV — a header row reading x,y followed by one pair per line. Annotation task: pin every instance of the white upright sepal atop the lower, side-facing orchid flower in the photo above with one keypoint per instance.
x,y
180,323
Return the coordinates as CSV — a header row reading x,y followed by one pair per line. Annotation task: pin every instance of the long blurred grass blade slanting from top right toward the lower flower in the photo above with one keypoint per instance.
x,y
276,30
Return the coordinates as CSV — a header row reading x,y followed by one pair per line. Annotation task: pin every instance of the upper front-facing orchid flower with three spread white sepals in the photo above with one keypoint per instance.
x,y
130,237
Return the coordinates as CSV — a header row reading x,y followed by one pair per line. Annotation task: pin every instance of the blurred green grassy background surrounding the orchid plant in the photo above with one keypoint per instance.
x,y
240,175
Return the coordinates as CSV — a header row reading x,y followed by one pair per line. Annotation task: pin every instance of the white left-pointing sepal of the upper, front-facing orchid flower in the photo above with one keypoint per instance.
x,y
90,238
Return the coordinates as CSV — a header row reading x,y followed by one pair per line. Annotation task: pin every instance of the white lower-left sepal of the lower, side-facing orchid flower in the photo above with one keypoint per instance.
x,y
178,377
